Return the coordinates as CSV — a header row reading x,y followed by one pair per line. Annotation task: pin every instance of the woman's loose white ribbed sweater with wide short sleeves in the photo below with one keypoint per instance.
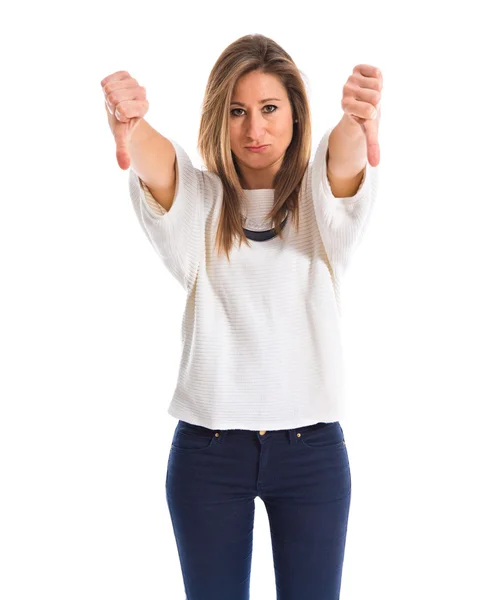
x,y
261,345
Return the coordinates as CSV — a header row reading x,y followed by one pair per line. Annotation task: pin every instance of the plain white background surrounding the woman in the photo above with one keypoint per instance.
x,y
90,319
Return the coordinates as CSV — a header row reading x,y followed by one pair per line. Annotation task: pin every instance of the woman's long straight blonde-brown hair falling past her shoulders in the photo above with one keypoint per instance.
x,y
251,53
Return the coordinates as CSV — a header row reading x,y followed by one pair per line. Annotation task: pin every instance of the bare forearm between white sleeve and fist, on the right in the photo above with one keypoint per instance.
x,y
346,158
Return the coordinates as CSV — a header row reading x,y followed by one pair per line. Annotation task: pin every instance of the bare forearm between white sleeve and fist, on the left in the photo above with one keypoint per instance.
x,y
153,160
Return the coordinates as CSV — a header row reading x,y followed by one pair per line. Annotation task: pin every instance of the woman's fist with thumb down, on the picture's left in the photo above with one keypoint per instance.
x,y
126,103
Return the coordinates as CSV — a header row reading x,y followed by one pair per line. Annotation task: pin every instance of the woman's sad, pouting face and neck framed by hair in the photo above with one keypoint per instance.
x,y
260,114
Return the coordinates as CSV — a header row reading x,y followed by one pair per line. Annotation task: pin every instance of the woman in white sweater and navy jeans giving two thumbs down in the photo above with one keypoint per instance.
x,y
259,240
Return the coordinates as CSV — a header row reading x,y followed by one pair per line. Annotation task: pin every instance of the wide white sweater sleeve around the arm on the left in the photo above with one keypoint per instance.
x,y
176,235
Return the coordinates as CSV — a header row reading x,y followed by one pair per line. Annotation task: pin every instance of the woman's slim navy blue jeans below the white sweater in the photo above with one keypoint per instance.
x,y
302,475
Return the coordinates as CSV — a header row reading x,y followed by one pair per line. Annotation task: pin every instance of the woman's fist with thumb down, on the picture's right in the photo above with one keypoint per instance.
x,y
361,103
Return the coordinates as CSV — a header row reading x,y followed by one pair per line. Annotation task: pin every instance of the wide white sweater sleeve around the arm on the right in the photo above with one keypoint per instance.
x,y
341,221
